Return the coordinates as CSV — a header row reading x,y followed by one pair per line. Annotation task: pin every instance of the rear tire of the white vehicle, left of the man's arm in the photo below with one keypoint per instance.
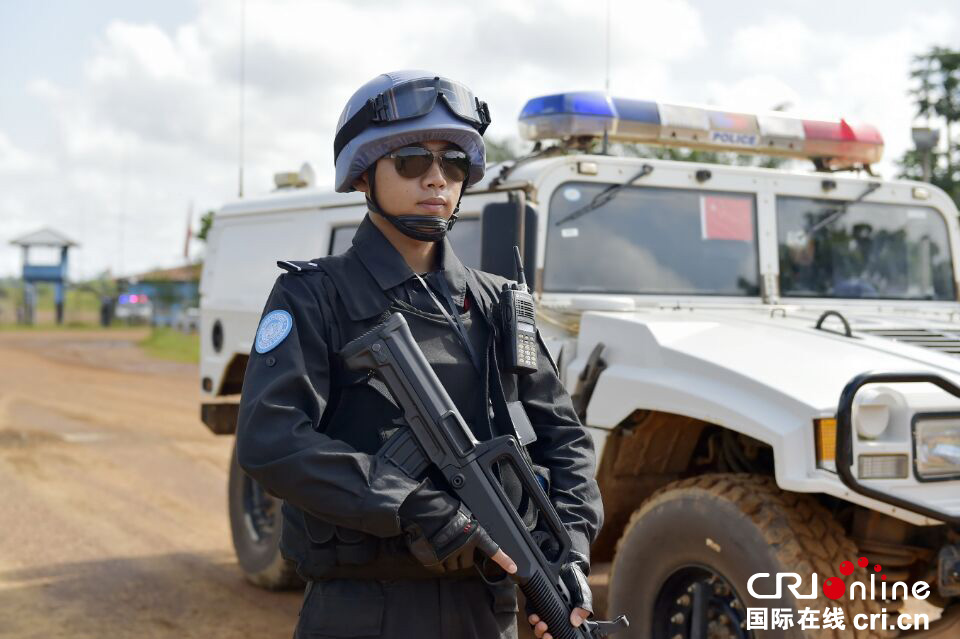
x,y
259,559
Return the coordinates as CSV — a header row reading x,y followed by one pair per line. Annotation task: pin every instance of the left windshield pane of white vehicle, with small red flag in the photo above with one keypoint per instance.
x,y
652,241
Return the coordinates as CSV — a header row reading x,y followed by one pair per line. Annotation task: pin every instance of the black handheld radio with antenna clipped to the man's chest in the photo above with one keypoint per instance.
x,y
519,324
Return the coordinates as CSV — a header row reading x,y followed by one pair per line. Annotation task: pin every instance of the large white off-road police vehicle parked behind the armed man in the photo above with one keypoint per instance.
x,y
767,359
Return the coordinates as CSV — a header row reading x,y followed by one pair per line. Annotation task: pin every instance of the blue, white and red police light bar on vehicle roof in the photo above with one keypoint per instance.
x,y
563,116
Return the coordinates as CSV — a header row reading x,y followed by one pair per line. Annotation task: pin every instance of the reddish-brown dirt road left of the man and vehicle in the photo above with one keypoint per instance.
x,y
113,517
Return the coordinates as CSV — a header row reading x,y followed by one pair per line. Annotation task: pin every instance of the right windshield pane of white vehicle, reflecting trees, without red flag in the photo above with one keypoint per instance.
x,y
883,251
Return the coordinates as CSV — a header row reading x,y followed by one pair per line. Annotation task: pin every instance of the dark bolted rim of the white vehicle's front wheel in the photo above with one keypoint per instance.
x,y
697,603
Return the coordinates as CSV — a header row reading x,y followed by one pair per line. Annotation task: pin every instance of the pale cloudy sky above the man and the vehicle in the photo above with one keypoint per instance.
x,y
118,118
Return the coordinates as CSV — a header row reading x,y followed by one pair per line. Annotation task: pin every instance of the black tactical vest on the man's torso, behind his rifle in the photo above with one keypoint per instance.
x,y
361,412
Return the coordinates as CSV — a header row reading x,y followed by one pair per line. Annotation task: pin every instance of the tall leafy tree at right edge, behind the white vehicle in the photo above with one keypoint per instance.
x,y
936,96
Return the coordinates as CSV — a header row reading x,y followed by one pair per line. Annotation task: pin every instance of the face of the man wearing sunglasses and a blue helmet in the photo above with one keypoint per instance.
x,y
432,193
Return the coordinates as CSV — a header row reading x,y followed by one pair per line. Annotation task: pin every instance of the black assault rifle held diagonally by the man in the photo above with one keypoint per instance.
x,y
438,435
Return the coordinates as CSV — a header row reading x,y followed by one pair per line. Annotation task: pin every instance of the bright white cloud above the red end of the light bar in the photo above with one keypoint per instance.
x,y
827,72
